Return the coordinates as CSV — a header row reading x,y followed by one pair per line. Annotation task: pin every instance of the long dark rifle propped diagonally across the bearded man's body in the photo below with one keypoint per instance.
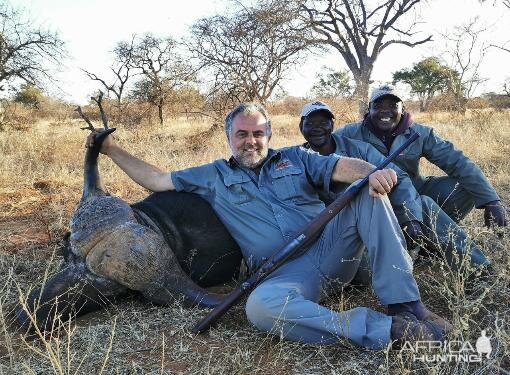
x,y
302,239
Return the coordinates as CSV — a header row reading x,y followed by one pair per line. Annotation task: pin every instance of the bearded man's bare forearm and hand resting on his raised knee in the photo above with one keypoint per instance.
x,y
348,170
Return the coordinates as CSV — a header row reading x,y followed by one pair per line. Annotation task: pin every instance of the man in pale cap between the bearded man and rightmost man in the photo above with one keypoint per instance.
x,y
317,125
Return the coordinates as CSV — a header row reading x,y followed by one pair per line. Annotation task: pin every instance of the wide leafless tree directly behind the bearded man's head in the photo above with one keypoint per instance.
x,y
248,51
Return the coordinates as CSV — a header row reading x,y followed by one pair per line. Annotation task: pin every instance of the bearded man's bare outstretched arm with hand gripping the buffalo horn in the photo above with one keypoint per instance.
x,y
143,173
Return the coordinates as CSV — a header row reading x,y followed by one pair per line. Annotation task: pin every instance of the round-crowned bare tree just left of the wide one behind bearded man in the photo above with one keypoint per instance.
x,y
162,66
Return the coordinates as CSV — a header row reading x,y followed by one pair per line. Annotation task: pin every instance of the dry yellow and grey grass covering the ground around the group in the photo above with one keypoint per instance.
x,y
40,183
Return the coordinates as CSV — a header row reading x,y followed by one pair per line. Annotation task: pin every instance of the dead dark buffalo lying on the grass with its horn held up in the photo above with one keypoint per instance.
x,y
169,246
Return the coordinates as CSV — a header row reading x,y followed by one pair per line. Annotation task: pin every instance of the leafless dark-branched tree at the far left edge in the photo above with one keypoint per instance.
x,y
27,52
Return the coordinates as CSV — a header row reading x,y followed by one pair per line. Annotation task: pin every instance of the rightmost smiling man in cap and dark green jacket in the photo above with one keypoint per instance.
x,y
446,199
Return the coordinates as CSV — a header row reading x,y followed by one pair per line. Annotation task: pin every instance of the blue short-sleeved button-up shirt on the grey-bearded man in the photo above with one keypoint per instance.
x,y
262,212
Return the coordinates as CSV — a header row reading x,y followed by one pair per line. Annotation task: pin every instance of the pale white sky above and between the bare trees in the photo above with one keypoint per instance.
x,y
92,28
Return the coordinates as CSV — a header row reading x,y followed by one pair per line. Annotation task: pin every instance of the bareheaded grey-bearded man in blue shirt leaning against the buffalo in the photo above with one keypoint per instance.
x,y
265,196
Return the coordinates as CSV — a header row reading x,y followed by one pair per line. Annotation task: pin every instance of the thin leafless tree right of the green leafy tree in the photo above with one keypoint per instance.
x,y
466,50
